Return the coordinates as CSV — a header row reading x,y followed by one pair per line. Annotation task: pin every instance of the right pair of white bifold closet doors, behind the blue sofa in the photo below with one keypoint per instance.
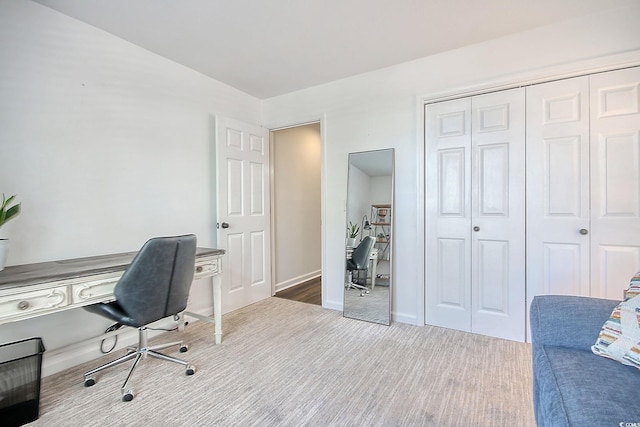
x,y
583,185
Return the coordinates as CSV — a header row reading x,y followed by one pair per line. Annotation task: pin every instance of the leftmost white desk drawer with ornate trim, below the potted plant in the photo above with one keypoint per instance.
x,y
30,303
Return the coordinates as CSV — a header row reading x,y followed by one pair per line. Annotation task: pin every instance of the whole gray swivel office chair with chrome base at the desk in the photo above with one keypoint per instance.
x,y
155,286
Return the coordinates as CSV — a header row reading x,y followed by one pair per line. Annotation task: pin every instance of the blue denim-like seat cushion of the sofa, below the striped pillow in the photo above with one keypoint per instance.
x,y
583,389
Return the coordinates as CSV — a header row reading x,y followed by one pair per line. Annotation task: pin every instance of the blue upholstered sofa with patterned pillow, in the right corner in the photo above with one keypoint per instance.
x,y
571,385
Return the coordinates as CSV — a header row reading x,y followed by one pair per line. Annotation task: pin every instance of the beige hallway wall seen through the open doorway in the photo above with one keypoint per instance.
x,y
297,208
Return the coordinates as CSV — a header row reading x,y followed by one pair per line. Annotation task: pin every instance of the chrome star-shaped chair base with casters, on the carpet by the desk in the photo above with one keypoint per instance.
x,y
140,352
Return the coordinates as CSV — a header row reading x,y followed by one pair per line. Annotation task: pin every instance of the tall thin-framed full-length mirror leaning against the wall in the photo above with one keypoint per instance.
x,y
368,252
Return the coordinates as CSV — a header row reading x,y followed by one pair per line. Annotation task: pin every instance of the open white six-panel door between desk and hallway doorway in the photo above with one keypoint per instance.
x,y
242,164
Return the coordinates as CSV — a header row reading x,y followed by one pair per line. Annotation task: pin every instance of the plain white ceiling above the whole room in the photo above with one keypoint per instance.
x,y
269,48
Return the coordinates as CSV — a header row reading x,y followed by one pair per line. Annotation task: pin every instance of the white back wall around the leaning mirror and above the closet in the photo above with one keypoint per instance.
x,y
379,110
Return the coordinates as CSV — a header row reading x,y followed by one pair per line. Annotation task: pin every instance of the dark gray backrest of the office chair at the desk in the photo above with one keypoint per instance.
x,y
157,283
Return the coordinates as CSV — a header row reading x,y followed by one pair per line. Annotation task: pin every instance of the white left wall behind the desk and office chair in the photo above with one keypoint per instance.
x,y
106,145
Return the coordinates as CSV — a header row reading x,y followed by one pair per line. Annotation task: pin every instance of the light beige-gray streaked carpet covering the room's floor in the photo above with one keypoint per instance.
x,y
286,363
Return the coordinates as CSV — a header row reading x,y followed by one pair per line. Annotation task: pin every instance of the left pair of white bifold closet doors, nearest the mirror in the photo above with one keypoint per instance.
x,y
475,214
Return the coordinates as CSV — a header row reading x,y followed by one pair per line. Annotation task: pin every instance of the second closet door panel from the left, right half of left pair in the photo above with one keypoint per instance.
x,y
498,203
